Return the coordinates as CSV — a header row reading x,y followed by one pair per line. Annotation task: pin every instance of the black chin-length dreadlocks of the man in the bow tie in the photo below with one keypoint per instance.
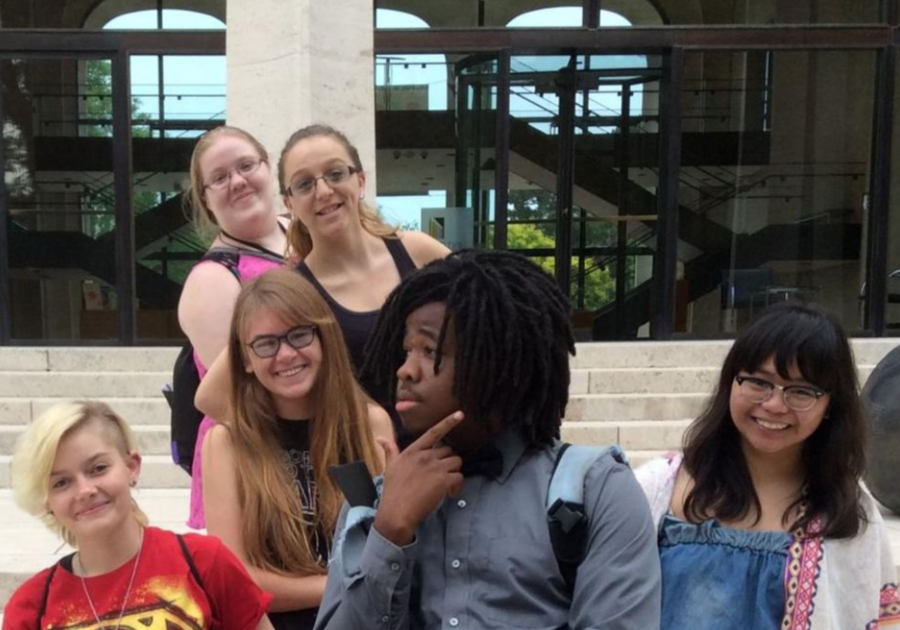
x,y
513,339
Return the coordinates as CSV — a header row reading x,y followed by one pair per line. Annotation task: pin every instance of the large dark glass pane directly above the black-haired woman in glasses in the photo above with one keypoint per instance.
x,y
773,179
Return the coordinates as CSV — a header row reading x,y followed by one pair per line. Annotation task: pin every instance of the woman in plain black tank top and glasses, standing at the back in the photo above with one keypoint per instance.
x,y
348,253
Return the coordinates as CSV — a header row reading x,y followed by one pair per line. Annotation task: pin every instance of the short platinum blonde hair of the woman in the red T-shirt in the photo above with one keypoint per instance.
x,y
36,450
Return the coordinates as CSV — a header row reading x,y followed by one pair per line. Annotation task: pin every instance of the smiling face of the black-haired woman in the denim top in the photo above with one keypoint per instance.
x,y
771,427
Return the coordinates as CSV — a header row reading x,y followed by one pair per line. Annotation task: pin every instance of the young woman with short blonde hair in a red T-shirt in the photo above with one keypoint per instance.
x,y
74,468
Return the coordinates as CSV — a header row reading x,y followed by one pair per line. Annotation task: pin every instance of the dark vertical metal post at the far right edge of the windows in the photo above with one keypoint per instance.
x,y
880,186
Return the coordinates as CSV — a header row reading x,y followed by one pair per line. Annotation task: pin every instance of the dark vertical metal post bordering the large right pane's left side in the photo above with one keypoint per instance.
x,y
662,321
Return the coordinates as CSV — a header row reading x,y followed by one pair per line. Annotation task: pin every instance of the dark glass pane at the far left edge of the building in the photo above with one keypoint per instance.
x,y
58,170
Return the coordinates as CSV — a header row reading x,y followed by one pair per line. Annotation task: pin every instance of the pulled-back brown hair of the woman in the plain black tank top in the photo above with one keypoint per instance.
x,y
298,235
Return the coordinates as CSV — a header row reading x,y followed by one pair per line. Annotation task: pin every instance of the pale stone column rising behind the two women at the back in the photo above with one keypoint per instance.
x,y
296,62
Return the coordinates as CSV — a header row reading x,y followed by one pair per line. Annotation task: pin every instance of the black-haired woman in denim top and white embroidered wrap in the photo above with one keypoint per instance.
x,y
762,522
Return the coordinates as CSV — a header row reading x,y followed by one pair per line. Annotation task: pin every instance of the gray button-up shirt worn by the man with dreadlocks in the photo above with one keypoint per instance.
x,y
484,559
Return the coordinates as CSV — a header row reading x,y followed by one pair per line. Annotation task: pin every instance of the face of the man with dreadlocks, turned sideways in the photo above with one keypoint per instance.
x,y
423,397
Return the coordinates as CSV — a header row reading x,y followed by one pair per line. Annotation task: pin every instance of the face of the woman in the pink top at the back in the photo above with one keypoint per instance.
x,y
245,201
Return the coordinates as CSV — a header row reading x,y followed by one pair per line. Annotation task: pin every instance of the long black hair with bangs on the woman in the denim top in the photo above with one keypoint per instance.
x,y
833,457
